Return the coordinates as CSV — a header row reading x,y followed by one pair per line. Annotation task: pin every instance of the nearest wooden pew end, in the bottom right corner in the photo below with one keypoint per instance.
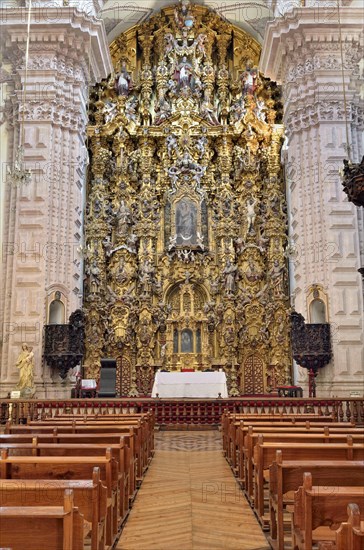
x,y
350,535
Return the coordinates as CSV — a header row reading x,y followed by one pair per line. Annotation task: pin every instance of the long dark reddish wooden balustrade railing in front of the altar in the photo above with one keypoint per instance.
x,y
174,411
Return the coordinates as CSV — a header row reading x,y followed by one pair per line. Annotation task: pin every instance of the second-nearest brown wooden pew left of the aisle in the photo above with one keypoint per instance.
x,y
90,497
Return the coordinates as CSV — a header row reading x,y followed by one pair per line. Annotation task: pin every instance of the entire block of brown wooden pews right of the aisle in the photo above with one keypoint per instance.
x,y
274,458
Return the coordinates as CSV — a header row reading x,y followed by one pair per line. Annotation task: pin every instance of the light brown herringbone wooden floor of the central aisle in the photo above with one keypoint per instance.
x,y
189,500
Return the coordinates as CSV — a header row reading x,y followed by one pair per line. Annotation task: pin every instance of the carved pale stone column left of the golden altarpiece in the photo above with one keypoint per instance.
x,y
43,221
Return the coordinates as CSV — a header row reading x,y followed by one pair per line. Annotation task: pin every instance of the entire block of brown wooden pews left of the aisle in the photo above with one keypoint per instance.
x,y
67,483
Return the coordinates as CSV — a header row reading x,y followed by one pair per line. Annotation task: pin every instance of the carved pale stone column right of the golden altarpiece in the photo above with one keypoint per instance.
x,y
316,54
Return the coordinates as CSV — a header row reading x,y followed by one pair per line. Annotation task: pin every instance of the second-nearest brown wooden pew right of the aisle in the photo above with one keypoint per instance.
x,y
318,511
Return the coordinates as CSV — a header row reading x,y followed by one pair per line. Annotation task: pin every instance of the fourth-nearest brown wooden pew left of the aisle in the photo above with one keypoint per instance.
x,y
34,448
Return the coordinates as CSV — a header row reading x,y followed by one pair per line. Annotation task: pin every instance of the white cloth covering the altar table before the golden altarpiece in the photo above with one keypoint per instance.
x,y
190,384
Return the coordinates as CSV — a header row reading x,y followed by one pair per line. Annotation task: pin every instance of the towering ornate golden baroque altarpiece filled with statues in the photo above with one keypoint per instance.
x,y
186,218
